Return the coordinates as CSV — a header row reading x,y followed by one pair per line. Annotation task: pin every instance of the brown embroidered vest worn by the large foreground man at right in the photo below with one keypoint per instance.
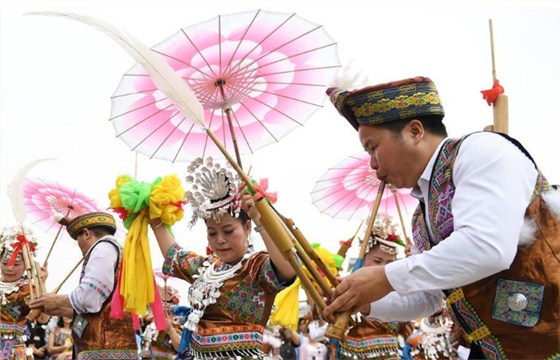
x,y
516,312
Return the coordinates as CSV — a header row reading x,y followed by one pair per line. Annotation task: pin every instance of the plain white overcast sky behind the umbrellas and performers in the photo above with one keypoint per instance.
x,y
57,77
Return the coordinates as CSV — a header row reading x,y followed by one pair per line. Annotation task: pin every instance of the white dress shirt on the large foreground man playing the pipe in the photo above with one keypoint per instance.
x,y
494,182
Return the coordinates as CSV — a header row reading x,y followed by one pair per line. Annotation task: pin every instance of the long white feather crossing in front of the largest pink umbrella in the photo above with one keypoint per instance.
x,y
165,78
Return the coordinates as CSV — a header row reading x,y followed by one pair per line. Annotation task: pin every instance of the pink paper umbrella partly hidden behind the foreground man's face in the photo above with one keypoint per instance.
x,y
348,190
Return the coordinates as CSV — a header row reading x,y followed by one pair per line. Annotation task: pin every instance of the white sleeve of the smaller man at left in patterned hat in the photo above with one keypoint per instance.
x,y
97,283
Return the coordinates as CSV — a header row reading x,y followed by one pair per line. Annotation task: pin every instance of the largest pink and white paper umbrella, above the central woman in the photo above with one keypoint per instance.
x,y
258,75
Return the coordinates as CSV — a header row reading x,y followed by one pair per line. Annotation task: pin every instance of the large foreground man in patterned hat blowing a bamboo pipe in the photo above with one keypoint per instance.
x,y
486,230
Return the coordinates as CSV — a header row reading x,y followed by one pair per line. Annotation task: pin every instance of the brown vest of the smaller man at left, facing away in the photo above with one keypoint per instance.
x,y
101,332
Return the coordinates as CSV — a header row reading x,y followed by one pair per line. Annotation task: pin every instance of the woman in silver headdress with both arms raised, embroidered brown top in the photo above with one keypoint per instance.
x,y
232,289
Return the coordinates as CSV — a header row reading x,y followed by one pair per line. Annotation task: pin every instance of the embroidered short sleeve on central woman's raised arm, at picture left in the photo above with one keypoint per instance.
x,y
181,263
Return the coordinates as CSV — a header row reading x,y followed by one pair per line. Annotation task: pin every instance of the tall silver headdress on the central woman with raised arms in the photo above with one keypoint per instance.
x,y
213,190
